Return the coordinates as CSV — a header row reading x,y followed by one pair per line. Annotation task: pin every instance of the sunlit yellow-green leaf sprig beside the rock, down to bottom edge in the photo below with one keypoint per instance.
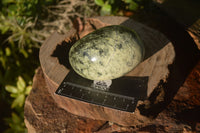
x,y
18,93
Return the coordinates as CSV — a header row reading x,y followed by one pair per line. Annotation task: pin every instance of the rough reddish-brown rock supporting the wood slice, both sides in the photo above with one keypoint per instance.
x,y
43,115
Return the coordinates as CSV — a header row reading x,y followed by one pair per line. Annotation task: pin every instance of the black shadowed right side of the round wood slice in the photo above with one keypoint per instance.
x,y
187,56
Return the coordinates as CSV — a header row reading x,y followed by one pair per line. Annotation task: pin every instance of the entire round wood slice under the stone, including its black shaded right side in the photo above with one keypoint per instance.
x,y
162,65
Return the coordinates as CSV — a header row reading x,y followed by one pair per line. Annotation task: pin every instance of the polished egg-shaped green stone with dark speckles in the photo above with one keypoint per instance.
x,y
106,53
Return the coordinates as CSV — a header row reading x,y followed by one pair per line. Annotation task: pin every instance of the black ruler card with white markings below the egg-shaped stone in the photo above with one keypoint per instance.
x,y
123,94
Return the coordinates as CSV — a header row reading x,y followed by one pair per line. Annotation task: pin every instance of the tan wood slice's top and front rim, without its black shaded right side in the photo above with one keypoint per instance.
x,y
160,54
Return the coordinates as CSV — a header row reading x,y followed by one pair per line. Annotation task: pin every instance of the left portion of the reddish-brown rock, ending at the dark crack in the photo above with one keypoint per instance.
x,y
42,114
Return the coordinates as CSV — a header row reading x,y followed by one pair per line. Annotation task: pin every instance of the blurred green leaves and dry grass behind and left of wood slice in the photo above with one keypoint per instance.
x,y
24,25
